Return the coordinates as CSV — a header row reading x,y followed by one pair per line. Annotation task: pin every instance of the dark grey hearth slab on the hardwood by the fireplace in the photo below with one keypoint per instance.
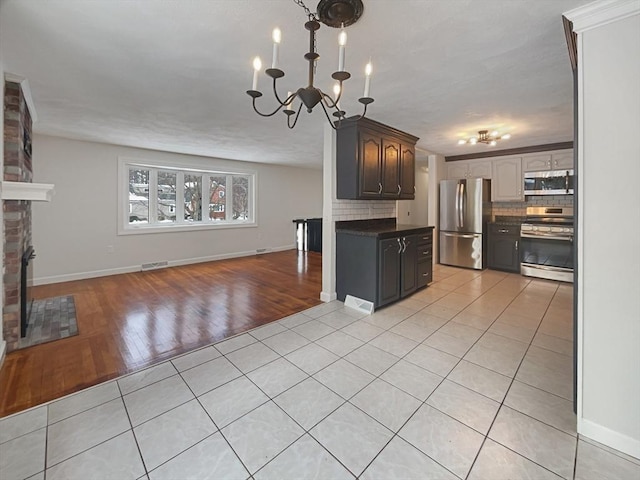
x,y
50,319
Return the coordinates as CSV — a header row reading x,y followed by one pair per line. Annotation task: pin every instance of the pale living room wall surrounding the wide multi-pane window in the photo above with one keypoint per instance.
x,y
72,232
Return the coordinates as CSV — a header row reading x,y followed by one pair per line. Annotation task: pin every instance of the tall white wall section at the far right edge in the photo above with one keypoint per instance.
x,y
609,226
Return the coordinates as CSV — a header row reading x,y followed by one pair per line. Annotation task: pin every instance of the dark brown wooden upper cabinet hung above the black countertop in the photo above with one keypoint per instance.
x,y
374,161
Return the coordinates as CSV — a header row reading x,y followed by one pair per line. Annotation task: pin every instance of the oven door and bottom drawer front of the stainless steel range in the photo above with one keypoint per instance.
x,y
547,255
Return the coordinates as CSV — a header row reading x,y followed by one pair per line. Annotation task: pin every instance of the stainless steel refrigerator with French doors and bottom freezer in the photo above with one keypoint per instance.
x,y
465,209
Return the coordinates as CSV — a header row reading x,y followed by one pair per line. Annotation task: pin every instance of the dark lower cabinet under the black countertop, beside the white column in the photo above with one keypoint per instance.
x,y
382,270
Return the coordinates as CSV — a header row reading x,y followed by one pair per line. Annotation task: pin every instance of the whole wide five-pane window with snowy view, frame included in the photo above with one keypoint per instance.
x,y
157,198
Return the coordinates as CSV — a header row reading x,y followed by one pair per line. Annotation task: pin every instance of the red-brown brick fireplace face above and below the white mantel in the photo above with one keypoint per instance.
x,y
17,213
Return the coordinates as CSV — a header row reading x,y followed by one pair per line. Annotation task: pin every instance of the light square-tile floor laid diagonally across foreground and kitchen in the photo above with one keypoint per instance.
x,y
468,379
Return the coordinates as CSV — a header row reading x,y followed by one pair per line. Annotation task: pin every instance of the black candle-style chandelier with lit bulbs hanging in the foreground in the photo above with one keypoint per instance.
x,y
334,13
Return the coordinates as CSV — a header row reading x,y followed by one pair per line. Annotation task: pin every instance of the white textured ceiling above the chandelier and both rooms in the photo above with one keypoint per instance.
x,y
172,75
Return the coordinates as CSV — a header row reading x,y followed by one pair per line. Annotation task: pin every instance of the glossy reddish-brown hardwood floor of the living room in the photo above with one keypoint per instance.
x,y
130,321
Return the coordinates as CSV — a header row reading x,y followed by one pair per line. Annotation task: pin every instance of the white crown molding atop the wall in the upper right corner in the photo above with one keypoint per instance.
x,y
600,13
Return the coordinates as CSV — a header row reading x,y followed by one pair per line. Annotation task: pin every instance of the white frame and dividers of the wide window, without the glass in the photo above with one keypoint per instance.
x,y
126,228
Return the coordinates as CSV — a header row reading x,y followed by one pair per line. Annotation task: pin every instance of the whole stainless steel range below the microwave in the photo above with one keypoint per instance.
x,y
546,240
